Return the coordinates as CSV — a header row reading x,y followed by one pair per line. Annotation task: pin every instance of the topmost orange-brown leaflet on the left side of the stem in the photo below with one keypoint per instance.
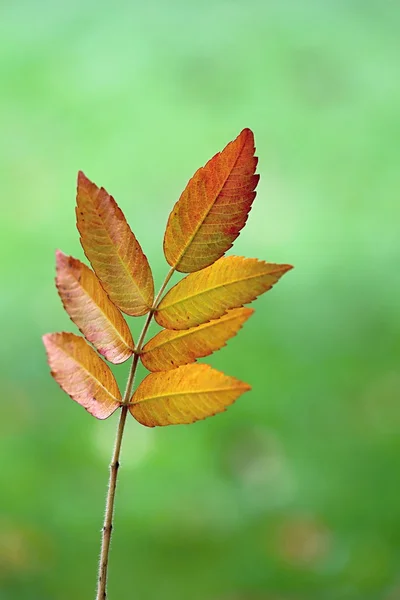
x,y
113,250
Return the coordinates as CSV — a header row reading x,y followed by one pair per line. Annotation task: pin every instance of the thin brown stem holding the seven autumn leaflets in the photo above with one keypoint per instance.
x,y
114,466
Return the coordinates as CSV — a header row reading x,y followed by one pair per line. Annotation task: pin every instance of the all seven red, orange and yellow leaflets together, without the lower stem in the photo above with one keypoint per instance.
x,y
198,315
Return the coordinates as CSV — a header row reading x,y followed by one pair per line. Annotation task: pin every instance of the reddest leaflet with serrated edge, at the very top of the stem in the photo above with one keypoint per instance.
x,y
213,208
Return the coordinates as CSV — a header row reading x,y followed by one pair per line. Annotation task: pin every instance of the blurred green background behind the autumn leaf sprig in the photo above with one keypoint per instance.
x,y
293,494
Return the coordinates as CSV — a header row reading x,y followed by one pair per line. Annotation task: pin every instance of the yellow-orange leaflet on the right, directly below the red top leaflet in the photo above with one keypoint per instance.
x,y
208,294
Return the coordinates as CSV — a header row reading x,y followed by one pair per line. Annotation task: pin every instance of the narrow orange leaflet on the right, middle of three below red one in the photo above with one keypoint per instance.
x,y
170,349
